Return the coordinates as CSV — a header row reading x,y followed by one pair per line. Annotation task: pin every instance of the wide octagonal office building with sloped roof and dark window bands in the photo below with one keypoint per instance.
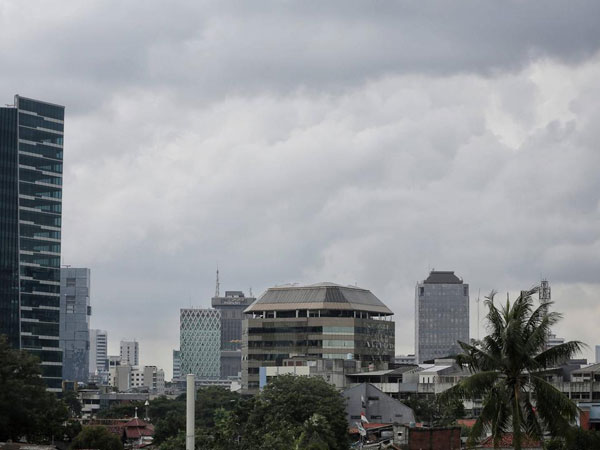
x,y
325,321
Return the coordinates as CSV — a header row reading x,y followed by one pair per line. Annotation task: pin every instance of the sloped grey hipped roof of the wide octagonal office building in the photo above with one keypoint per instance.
x,y
319,296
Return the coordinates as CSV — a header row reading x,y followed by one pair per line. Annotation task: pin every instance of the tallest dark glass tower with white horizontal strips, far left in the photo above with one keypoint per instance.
x,y
31,156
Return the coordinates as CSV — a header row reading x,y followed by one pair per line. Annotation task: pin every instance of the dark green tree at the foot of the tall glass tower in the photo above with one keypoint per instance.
x,y
26,408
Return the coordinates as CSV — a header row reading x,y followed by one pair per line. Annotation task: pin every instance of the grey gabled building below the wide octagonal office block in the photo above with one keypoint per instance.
x,y
377,406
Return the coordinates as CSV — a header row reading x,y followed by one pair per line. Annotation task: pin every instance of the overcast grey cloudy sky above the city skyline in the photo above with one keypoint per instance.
x,y
294,141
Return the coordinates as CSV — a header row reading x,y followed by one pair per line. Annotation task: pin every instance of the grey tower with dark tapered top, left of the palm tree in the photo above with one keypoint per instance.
x,y
441,316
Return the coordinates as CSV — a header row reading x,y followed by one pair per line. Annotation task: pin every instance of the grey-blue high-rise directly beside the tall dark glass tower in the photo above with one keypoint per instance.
x,y
75,311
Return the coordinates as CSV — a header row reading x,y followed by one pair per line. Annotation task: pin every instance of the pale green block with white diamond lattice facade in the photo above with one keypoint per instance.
x,y
200,342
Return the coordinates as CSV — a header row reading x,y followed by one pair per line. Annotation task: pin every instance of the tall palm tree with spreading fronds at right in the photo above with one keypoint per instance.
x,y
508,369
